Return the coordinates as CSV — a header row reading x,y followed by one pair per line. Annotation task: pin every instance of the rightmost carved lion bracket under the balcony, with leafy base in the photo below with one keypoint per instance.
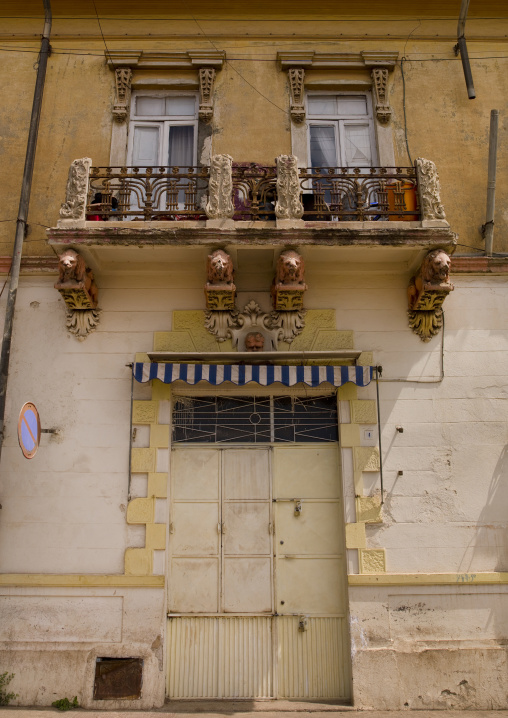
x,y
426,293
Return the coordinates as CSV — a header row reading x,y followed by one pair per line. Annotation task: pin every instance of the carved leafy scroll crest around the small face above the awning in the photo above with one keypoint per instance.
x,y
273,326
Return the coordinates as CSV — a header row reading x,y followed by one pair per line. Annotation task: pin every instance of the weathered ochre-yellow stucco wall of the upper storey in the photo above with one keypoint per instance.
x,y
251,120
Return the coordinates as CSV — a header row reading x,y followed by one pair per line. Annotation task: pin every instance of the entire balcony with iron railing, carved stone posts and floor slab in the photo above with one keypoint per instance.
x,y
251,204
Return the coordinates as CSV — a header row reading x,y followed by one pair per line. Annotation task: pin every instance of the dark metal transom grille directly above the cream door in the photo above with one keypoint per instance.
x,y
249,419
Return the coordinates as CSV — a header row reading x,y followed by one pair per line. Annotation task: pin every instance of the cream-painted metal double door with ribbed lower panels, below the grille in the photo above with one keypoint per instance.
x,y
257,579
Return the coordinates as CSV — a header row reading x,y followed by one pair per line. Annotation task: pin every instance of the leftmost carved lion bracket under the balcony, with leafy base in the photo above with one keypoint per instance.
x,y
77,286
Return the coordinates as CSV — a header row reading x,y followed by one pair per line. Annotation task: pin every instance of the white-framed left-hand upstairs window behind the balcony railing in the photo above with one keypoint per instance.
x,y
163,130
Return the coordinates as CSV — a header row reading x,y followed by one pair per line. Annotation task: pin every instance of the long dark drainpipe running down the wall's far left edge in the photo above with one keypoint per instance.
x,y
21,222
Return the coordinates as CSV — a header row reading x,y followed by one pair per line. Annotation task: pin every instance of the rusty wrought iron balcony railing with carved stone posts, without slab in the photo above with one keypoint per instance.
x,y
252,192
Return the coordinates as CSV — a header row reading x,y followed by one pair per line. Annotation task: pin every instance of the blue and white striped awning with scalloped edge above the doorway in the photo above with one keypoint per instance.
x,y
264,375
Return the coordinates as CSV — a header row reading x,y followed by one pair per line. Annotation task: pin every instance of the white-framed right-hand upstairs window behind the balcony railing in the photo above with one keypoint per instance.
x,y
341,130
